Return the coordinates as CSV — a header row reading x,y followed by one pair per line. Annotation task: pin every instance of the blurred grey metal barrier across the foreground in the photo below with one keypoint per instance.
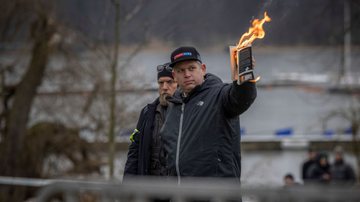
x,y
192,189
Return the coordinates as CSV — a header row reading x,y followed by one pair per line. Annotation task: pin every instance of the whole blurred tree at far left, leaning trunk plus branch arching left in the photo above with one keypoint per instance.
x,y
41,29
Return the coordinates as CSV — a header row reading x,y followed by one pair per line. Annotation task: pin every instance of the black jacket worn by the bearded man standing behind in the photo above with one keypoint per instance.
x,y
138,161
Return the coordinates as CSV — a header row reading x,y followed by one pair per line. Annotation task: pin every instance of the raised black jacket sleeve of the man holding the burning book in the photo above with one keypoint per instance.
x,y
236,99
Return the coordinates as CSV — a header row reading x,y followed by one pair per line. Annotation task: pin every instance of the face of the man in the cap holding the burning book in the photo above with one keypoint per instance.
x,y
189,74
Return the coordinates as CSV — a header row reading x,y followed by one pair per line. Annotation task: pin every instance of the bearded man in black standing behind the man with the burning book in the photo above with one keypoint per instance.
x,y
144,150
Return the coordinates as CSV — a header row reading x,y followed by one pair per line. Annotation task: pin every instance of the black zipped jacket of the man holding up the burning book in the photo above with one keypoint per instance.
x,y
201,132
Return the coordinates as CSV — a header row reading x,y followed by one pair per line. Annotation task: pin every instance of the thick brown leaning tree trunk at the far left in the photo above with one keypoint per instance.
x,y
16,121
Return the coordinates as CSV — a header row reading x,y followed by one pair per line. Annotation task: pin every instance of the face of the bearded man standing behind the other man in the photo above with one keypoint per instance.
x,y
167,87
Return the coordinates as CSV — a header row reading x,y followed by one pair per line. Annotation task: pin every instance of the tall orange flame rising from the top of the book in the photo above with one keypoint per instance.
x,y
256,31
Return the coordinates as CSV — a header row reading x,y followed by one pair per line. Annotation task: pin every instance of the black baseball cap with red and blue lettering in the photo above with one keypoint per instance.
x,y
183,54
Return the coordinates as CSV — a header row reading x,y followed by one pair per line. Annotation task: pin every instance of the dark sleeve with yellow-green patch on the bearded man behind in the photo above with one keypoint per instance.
x,y
131,166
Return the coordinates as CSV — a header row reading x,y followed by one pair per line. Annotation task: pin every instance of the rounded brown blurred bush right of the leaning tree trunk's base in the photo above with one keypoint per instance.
x,y
46,140
